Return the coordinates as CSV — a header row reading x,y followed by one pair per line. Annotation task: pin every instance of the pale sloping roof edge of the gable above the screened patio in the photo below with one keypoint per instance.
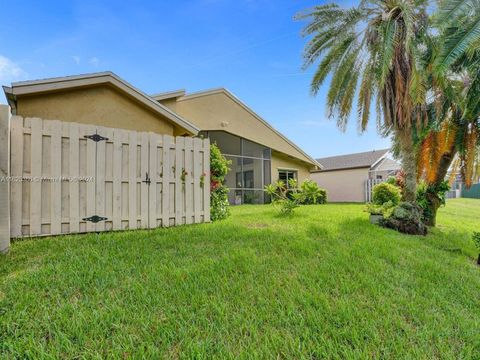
x,y
183,97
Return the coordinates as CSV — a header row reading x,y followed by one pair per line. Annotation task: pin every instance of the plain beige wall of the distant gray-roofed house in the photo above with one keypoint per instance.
x,y
343,185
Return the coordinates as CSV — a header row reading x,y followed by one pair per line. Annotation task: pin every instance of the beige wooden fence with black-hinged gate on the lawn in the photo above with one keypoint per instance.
x,y
69,178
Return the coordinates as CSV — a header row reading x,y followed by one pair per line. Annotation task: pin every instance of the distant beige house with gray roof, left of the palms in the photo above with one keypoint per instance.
x,y
345,176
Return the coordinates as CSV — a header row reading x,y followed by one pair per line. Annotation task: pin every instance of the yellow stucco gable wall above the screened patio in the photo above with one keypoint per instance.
x,y
218,111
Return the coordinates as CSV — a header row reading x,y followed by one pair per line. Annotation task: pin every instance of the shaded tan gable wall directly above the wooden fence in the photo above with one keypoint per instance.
x,y
100,105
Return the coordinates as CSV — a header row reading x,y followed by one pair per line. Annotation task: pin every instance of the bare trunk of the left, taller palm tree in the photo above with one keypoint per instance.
x,y
409,163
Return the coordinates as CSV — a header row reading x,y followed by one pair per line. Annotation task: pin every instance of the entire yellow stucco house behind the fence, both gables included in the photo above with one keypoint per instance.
x,y
259,153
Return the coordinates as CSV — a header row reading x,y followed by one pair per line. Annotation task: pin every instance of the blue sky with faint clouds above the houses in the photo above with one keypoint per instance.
x,y
251,47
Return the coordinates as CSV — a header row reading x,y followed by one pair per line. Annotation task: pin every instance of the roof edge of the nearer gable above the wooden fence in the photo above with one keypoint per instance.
x,y
107,77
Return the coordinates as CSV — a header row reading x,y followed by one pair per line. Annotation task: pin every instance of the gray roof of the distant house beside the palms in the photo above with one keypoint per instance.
x,y
352,161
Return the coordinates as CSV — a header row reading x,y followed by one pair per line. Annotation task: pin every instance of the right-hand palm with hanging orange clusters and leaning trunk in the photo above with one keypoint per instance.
x,y
452,139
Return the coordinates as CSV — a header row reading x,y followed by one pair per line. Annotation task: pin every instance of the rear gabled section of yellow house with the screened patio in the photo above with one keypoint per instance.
x,y
259,153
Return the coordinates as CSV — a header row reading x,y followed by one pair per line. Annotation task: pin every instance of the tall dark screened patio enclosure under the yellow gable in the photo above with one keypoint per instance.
x,y
250,169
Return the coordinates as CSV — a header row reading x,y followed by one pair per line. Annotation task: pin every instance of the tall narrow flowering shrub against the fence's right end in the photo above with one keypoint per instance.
x,y
219,167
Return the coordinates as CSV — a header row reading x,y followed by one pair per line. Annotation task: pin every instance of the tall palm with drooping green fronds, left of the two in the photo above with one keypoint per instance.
x,y
373,52
